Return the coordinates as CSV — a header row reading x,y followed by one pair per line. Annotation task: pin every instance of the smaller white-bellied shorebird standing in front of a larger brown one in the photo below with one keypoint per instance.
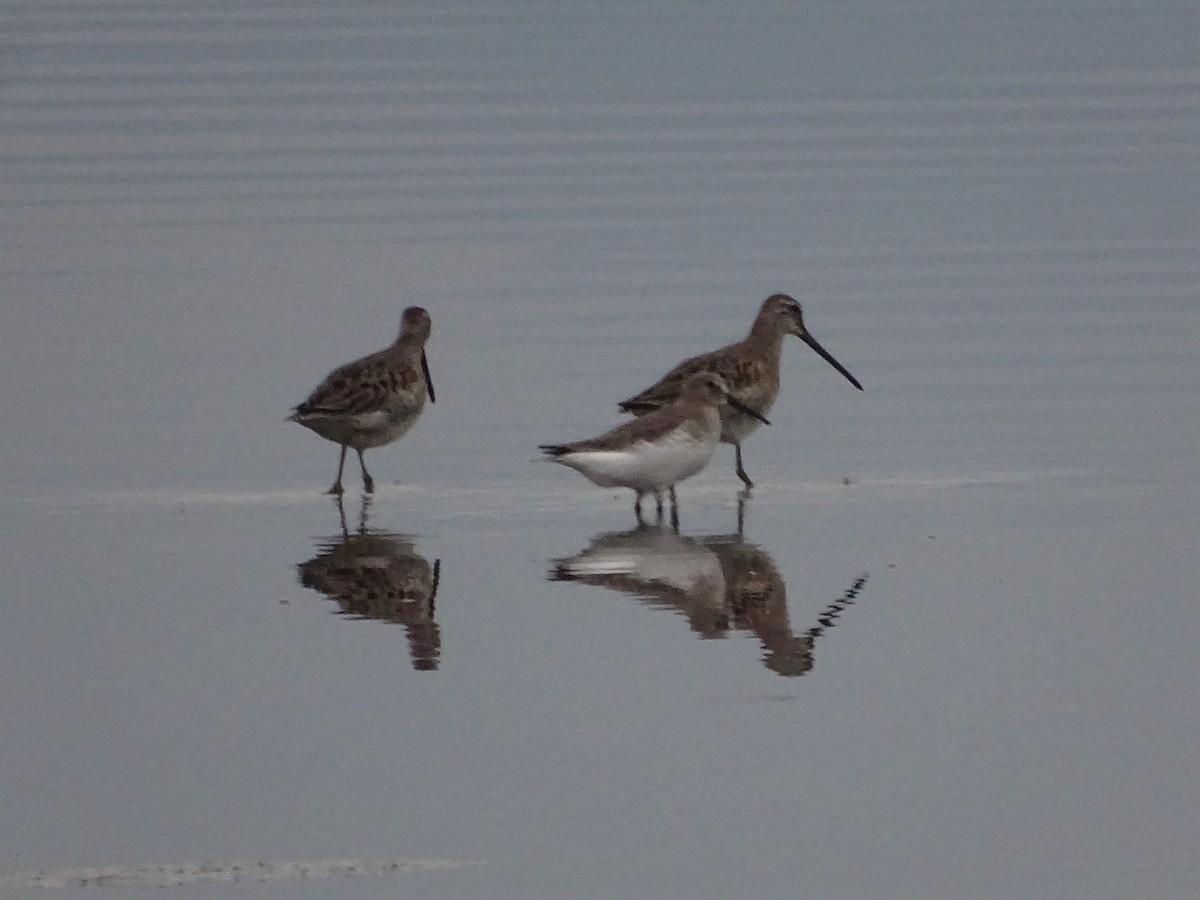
x,y
656,452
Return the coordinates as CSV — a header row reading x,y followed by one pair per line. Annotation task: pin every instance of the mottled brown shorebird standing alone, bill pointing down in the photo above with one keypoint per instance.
x,y
375,400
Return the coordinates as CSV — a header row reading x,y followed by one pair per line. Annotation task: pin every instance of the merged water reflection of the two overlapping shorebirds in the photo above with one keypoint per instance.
x,y
718,584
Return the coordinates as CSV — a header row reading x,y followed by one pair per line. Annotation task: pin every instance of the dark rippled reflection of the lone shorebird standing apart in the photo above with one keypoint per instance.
x,y
379,575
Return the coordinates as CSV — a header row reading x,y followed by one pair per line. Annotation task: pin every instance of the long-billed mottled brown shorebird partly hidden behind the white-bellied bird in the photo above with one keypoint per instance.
x,y
751,369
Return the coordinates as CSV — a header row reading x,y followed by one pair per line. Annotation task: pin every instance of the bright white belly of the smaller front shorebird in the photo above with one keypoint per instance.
x,y
646,466
